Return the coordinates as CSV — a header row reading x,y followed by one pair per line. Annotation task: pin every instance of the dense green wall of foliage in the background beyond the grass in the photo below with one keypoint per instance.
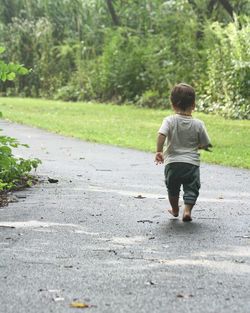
x,y
78,51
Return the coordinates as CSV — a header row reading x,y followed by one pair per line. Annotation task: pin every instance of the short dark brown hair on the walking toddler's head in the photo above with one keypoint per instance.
x,y
182,96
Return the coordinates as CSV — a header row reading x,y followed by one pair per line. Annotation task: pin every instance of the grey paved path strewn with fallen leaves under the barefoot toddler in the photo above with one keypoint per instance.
x,y
89,238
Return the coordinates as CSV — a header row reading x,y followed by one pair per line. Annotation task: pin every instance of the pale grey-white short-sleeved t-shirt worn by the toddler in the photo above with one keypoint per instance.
x,y
184,135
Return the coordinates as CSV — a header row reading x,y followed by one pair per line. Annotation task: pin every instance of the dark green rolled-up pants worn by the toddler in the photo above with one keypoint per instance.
x,y
185,174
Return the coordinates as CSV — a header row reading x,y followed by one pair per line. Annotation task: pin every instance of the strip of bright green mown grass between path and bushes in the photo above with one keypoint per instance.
x,y
126,126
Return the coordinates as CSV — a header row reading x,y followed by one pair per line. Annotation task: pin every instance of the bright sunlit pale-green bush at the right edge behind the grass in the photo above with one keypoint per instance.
x,y
227,85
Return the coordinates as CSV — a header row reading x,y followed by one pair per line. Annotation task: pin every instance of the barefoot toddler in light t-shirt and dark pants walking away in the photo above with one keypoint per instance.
x,y
181,136
